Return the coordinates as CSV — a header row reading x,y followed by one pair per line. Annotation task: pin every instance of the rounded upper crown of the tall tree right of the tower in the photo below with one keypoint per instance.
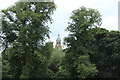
x,y
83,19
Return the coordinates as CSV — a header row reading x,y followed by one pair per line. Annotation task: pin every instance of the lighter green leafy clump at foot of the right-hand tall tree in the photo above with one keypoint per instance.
x,y
84,67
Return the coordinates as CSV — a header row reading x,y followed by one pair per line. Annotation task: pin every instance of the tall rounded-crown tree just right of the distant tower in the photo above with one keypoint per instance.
x,y
77,60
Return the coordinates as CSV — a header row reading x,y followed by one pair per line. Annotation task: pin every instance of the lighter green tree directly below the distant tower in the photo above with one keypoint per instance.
x,y
55,62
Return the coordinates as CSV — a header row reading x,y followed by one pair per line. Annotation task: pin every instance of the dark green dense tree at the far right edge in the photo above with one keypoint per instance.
x,y
105,52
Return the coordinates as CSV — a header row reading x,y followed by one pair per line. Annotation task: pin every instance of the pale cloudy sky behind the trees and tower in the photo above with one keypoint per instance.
x,y
107,8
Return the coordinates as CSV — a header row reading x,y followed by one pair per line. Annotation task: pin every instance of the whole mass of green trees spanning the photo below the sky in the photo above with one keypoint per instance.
x,y
91,52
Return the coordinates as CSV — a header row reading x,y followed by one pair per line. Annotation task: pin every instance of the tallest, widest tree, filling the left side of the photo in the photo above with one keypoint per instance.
x,y
24,30
